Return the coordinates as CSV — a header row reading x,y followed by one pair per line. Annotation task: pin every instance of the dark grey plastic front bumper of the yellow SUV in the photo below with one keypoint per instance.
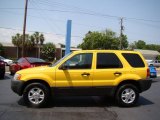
x,y
17,86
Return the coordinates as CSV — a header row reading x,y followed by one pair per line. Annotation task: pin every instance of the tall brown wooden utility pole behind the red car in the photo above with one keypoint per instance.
x,y
24,26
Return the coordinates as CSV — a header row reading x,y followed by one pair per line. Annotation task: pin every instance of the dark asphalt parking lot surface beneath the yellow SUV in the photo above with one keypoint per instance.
x,y
79,108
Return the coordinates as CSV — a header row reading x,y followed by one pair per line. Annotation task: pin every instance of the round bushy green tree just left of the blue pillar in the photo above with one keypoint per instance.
x,y
48,50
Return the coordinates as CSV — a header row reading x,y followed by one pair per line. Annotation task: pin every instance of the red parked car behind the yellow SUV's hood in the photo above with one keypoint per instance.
x,y
26,62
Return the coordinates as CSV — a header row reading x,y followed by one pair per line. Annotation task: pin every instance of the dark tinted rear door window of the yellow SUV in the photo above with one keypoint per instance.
x,y
108,60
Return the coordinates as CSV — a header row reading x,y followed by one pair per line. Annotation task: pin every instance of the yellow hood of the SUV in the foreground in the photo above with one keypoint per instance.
x,y
41,69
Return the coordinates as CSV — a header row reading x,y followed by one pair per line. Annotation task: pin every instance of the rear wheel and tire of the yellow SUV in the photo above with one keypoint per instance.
x,y
127,95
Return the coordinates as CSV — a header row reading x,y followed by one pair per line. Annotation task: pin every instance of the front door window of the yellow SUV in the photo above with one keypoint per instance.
x,y
80,61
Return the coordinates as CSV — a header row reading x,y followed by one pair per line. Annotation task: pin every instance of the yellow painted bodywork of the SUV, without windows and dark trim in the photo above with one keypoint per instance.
x,y
56,77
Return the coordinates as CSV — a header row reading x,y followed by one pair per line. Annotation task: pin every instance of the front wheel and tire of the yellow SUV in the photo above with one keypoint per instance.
x,y
36,95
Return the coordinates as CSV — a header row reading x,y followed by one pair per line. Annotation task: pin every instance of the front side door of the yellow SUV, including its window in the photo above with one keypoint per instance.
x,y
75,72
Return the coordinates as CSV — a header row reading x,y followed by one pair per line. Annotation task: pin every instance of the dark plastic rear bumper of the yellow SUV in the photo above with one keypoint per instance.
x,y
145,84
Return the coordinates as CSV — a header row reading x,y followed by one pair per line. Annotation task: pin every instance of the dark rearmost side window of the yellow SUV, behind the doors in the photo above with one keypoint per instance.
x,y
134,60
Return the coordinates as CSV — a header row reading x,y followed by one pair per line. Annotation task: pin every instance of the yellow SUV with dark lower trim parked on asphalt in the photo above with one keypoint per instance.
x,y
121,74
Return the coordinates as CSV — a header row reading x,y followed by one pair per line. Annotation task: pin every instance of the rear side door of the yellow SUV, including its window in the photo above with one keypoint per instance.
x,y
108,68
